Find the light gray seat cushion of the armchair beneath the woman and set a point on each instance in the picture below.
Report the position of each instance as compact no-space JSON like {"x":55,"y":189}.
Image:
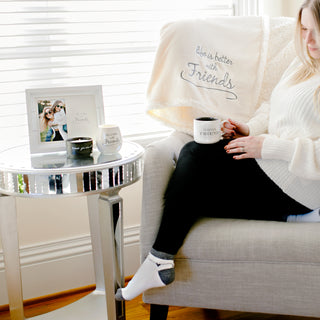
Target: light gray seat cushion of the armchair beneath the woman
{"x":249,"y":240}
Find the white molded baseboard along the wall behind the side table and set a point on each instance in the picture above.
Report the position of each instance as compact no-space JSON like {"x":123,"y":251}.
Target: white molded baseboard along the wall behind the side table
{"x":65,"y":264}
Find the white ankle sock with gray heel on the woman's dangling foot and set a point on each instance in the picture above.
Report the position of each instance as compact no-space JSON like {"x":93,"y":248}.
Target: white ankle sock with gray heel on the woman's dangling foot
{"x":154,"y":272}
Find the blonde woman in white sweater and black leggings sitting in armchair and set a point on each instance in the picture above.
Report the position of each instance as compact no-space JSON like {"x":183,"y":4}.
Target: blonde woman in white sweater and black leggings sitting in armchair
{"x":274,"y":176}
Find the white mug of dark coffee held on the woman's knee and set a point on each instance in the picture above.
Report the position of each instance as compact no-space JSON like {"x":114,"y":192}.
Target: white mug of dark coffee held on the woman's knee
{"x":207,"y":130}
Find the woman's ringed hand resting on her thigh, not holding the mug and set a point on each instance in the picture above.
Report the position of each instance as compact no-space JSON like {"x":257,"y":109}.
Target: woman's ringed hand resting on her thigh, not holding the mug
{"x":245,"y":147}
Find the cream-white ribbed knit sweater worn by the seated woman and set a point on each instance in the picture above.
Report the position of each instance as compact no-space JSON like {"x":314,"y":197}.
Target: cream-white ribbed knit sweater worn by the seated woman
{"x":291,"y":149}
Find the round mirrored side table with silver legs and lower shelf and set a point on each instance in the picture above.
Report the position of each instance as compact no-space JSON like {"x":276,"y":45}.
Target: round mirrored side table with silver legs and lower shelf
{"x":100,"y":178}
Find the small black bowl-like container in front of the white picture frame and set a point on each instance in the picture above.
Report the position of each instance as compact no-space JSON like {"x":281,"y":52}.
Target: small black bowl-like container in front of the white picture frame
{"x":79,"y":147}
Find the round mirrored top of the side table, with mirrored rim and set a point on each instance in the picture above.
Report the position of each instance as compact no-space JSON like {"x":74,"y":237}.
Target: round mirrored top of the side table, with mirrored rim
{"x":52,"y":174}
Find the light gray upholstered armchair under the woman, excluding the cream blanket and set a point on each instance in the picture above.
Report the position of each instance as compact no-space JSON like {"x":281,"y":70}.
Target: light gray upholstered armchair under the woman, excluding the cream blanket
{"x":239,"y":265}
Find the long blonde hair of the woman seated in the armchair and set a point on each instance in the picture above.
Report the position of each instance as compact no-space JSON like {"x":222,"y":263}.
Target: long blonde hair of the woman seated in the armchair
{"x":310,"y":66}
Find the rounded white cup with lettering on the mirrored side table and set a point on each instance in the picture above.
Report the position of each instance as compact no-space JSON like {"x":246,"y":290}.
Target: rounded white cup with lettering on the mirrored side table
{"x":109,"y":140}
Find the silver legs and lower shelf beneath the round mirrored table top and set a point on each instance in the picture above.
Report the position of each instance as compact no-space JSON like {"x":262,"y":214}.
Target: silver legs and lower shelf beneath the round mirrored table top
{"x":106,"y":226}
